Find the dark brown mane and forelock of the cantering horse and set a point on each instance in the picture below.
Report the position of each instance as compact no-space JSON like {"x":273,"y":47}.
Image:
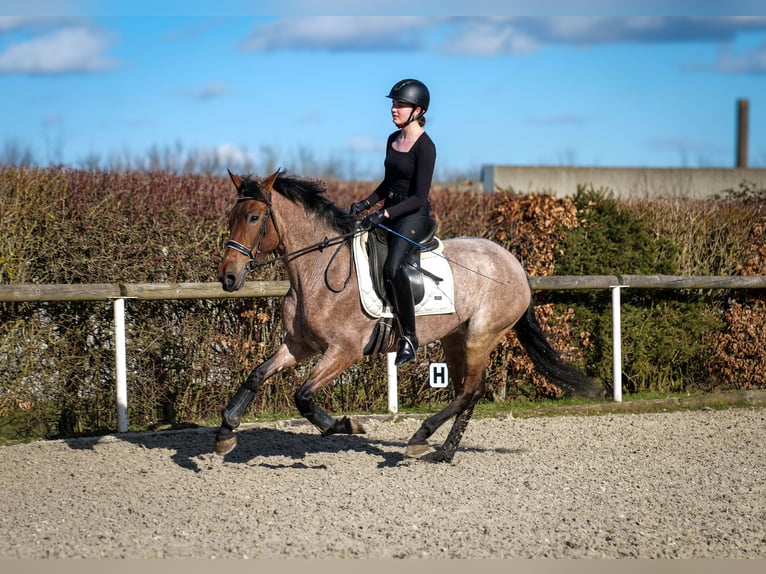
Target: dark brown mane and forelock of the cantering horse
{"x":310,"y":194}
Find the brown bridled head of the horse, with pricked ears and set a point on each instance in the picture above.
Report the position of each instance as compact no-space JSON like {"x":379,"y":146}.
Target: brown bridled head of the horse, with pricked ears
{"x":253,"y":233}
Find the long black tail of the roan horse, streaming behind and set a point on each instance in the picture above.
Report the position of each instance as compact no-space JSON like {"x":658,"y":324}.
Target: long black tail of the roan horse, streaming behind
{"x":549,"y":361}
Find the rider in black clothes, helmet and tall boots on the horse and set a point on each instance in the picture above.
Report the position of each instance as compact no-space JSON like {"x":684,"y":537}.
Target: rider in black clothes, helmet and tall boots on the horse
{"x":409,"y":168}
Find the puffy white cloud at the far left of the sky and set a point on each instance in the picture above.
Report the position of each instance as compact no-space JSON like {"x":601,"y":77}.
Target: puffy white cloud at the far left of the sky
{"x":71,"y":49}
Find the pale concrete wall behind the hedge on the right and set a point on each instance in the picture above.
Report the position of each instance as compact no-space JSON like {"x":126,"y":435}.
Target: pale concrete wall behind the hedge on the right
{"x":624,"y":182}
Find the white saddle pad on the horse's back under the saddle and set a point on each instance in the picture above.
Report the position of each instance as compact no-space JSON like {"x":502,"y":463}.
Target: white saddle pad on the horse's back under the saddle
{"x":439,"y":296}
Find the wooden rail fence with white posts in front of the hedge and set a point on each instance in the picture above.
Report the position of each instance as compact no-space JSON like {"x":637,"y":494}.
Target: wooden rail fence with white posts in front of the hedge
{"x":119,"y":293}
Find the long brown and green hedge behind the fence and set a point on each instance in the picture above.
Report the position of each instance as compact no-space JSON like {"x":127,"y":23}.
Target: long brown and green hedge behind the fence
{"x":186,"y":358}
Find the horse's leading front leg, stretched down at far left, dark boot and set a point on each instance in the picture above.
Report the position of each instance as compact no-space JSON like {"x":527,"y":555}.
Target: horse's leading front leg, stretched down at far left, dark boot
{"x":286,"y":356}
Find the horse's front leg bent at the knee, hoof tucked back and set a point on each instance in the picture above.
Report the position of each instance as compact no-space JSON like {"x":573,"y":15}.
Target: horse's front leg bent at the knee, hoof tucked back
{"x":328,"y":368}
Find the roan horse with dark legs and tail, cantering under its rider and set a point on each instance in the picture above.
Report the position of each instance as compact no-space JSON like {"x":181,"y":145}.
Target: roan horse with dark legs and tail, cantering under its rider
{"x":322,"y":312}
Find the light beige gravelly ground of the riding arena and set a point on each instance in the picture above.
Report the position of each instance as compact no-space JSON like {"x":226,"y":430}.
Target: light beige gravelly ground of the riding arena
{"x":665,"y":485}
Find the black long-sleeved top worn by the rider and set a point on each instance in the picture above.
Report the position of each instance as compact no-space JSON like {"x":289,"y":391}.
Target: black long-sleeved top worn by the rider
{"x":407,"y":178}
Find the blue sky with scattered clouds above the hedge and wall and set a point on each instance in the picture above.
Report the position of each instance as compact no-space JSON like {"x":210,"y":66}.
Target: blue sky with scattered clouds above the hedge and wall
{"x":588,"y":90}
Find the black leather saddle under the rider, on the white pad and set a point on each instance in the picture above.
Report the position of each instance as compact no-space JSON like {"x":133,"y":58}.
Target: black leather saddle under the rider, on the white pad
{"x":377,"y":251}
